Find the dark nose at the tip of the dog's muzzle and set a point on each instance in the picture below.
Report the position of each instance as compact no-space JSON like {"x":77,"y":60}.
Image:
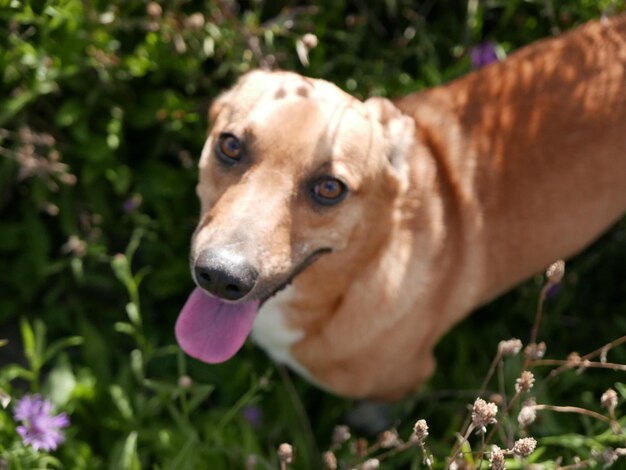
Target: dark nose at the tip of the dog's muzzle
{"x":225,"y":274}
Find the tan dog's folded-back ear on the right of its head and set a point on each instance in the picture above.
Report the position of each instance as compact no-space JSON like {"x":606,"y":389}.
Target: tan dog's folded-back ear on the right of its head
{"x":398,"y":130}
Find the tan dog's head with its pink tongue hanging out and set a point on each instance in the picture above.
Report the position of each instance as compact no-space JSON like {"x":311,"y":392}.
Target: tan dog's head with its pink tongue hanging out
{"x":293,"y":170}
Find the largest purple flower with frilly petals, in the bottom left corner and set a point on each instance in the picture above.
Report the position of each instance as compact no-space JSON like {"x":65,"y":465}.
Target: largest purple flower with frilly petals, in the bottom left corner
{"x":39,"y":428}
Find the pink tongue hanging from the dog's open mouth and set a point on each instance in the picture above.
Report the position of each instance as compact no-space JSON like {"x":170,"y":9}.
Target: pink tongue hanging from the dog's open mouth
{"x":211,"y":330}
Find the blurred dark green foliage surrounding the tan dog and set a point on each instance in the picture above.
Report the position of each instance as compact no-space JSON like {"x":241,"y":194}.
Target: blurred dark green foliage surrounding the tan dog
{"x":102,"y":118}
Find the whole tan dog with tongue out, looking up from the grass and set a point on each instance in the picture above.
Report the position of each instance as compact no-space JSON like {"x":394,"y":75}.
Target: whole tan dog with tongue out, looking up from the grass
{"x":365,"y":230}
